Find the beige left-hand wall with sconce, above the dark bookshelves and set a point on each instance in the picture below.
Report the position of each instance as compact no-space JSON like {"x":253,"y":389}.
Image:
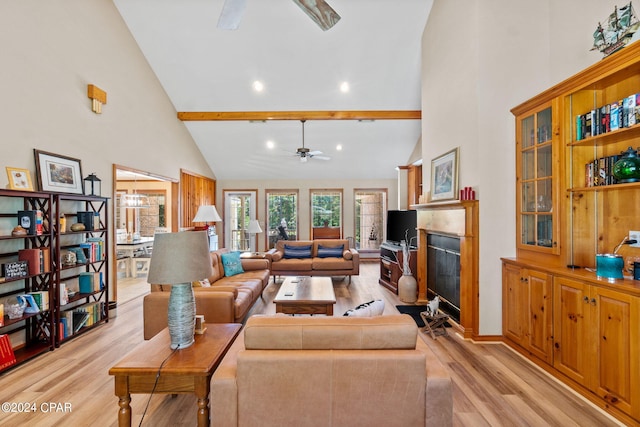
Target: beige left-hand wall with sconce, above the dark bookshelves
{"x":51,"y":51}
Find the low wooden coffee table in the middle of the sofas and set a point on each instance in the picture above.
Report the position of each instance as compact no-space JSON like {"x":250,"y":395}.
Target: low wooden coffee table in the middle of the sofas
{"x":305,"y":295}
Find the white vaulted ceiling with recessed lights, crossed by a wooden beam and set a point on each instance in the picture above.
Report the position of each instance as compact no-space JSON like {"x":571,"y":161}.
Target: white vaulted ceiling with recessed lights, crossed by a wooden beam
{"x":375,"y":48}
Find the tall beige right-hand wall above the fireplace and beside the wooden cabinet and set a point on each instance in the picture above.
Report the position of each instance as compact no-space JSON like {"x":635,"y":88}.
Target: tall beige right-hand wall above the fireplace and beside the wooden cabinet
{"x":480,"y":59}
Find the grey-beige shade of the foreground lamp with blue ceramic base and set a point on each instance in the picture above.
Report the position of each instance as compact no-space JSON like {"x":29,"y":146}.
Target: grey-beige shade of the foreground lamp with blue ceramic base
{"x":179,"y":258}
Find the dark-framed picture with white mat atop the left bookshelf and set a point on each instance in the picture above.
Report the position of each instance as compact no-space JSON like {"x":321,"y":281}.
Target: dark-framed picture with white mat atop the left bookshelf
{"x":58,"y":173}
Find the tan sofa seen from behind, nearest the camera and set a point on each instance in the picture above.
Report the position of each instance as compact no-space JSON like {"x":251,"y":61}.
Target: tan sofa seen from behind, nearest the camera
{"x":331,"y":371}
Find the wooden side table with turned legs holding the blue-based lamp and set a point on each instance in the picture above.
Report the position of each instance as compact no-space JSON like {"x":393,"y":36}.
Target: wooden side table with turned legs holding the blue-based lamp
{"x":188,"y":370}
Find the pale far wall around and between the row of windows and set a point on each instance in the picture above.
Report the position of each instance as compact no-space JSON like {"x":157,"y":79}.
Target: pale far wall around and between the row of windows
{"x":348,"y":187}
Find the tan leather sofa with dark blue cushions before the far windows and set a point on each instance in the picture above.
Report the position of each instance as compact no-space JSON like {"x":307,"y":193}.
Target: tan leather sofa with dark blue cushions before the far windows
{"x":319,"y":262}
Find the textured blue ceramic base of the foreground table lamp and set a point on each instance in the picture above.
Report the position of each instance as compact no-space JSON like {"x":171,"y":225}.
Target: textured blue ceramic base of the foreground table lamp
{"x":182,"y":315}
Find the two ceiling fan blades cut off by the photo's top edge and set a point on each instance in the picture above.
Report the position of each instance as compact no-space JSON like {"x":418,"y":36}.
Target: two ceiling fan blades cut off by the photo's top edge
{"x":318,"y":10}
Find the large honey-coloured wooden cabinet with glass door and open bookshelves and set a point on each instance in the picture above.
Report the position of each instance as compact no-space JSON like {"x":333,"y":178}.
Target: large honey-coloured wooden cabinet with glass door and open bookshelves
{"x":594,"y":118}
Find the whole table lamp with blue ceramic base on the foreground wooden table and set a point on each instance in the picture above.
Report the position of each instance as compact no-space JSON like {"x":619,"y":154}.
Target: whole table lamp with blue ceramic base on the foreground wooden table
{"x":177,"y":260}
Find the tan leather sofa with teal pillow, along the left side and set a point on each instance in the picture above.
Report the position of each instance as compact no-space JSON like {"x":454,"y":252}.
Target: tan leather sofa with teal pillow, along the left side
{"x":227,"y":300}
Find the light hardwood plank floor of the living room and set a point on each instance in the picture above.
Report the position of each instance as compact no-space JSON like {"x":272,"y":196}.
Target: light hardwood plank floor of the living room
{"x":493,"y":386}
